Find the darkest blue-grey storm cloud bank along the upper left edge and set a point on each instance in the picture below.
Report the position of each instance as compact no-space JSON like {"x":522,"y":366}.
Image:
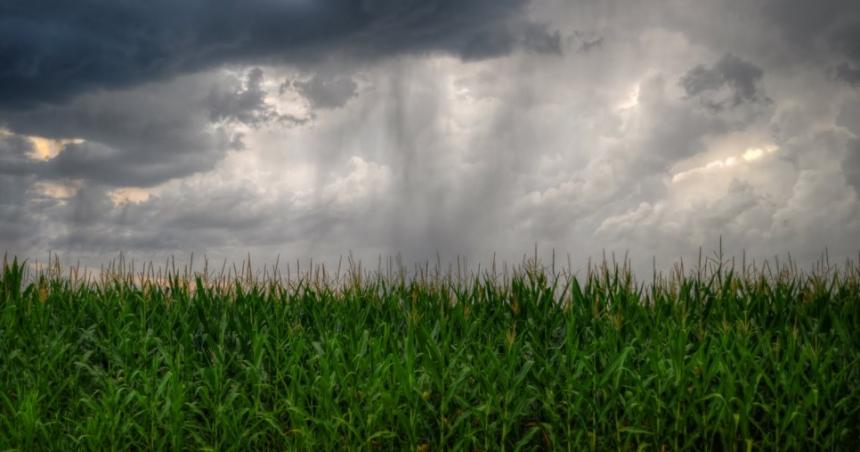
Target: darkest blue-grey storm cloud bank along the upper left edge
{"x":51,"y":49}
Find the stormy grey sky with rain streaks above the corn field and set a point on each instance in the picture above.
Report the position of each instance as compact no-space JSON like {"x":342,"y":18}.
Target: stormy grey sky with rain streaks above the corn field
{"x":315,"y":128}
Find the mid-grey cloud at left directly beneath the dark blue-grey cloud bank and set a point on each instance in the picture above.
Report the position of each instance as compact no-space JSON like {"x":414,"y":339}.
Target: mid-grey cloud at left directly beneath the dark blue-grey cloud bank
{"x":138,"y":137}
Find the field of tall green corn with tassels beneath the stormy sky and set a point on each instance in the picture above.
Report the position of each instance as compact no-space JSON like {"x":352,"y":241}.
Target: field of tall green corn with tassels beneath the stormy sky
{"x":710,"y":357}
